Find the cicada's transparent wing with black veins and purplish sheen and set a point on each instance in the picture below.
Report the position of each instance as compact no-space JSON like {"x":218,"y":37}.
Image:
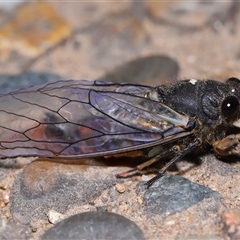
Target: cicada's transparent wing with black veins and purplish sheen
{"x":84,"y":118}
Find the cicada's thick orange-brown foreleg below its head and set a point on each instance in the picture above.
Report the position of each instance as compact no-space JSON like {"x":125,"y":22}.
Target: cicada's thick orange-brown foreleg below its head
{"x":228,"y":146}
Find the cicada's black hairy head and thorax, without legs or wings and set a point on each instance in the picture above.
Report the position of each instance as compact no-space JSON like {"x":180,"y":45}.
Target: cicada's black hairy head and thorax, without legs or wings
{"x":215,"y":105}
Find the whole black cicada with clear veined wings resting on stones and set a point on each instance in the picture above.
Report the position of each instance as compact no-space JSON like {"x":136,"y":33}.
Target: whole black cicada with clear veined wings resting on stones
{"x":82,"y":119}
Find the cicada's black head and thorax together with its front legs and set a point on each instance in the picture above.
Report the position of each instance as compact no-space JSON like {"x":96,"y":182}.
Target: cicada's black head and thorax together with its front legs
{"x":215,"y":108}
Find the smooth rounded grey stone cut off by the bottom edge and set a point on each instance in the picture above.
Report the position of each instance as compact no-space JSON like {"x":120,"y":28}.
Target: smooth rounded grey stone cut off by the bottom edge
{"x":94,"y":225}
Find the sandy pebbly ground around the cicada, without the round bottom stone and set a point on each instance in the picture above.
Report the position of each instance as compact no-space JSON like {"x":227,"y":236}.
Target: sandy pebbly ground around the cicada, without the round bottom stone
{"x":137,"y":42}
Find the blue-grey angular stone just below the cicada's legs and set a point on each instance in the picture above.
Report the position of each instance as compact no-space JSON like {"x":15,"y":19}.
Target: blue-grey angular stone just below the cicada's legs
{"x":172,"y":194}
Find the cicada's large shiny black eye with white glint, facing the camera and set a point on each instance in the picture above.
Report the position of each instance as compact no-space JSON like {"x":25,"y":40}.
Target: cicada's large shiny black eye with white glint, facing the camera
{"x":229,"y":106}
